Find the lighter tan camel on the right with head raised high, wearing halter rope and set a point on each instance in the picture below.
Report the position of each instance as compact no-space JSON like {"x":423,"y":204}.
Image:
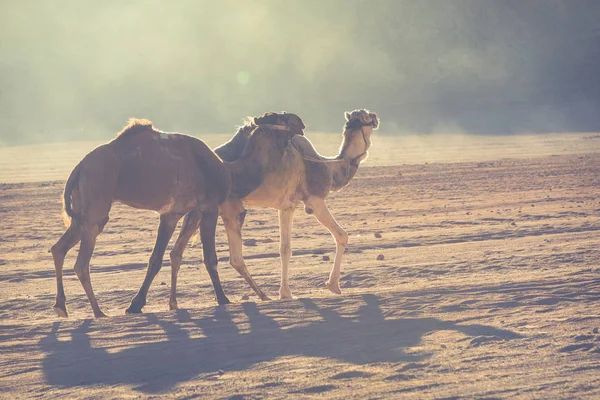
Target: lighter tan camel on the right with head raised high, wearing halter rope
{"x":298,"y":174}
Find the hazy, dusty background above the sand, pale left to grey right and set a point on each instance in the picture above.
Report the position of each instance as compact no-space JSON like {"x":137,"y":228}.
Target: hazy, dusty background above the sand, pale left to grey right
{"x":76,"y":70}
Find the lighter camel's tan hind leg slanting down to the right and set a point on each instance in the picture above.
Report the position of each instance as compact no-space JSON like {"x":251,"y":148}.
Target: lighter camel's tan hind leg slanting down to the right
{"x":232,"y":213}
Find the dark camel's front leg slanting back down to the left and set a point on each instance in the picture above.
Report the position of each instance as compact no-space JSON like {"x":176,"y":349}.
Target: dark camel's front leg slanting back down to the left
{"x":168,"y":223}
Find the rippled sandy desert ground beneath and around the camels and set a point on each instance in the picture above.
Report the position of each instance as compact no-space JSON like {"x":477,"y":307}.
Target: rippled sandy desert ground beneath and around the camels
{"x":489,"y":286}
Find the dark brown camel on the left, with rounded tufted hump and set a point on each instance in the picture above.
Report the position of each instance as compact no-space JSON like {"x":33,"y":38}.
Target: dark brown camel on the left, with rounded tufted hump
{"x":172,"y":174}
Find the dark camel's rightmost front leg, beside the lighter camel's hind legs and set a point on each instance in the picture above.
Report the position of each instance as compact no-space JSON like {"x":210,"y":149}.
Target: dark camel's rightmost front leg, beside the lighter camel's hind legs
{"x":208,"y":226}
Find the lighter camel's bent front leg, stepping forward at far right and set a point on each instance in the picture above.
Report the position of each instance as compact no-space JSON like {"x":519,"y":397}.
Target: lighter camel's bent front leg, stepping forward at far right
{"x":323,"y":215}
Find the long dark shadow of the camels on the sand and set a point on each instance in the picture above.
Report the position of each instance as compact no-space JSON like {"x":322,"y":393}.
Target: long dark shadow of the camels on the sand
{"x":157,"y":366}
